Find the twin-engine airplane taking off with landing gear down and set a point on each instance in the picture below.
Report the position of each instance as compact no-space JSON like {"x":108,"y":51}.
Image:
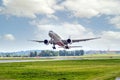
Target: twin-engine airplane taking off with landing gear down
{"x":56,"y":40}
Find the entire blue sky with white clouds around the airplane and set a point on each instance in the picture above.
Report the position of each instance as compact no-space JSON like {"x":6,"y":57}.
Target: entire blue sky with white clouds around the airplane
{"x":23,"y":20}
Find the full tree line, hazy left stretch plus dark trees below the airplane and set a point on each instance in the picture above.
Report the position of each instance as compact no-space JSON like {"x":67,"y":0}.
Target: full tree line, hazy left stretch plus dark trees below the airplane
{"x":43,"y":53}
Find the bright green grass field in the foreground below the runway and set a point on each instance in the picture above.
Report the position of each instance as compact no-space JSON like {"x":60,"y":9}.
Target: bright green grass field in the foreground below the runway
{"x":103,"y":69}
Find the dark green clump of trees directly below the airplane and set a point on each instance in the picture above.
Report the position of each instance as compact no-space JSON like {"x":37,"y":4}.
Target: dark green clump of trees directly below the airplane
{"x":45,"y":53}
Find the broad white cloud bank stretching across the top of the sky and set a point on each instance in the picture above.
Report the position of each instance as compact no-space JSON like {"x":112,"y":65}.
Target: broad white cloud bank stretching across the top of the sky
{"x":78,"y":8}
